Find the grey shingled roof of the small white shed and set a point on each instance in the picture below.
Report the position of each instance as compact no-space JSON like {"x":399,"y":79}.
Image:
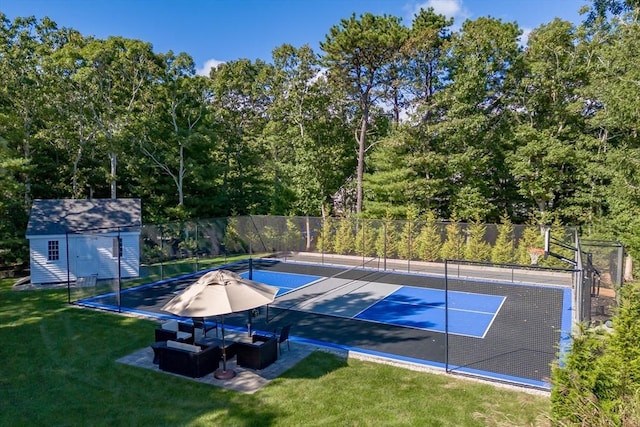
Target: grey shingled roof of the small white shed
{"x":60,"y":216}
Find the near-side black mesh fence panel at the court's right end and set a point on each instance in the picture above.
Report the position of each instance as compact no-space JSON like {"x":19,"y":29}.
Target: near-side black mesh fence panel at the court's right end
{"x":522,"y":322}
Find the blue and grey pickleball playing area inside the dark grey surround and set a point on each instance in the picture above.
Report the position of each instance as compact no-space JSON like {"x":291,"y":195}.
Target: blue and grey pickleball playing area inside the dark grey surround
{"x":470,"y":314}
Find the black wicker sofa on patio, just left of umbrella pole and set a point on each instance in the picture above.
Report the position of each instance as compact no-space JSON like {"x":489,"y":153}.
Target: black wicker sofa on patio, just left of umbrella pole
{"x":189,"y":360}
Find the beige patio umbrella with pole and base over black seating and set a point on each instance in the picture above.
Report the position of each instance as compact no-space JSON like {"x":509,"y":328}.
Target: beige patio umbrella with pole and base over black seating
{"x":217,"y":293}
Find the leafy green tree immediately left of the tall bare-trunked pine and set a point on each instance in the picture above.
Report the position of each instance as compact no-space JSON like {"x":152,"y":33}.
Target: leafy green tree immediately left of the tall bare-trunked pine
{"x":305,"y":133}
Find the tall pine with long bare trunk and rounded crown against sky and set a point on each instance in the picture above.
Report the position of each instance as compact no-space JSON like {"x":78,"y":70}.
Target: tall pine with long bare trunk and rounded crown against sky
{"x":359,"y":54}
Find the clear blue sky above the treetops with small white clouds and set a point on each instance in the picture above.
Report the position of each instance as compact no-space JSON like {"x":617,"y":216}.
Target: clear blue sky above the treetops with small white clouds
{"x":214,"y":31}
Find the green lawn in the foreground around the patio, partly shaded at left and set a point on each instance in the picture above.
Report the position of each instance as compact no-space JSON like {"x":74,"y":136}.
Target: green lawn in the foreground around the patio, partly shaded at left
{"x":59,"y":368}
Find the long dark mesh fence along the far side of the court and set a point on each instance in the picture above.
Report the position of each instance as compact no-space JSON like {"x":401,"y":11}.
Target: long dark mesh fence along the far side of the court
{"x":399,"y":245}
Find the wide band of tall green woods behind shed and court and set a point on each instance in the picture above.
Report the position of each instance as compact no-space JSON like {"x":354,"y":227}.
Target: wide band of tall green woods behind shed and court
{"x":467,"y":124}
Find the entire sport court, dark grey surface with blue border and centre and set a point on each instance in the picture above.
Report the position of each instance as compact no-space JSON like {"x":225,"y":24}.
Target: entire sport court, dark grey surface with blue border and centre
{"x":499,"y":330}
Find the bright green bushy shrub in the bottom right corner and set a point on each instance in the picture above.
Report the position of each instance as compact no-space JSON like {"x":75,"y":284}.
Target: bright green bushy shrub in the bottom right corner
{"x":598,"y":382}
